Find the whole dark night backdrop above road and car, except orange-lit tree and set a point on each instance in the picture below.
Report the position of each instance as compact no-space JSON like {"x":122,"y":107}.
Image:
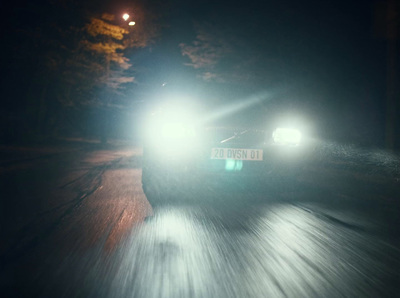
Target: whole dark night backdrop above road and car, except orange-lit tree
{"x":334,"y":62}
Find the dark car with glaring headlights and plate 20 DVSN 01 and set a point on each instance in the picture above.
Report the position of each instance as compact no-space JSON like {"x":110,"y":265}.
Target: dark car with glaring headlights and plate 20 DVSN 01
{"x":188,"y":149}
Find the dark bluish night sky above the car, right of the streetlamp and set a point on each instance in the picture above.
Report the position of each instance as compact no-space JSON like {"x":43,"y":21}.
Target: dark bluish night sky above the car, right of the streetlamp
{"x":325,"y":58}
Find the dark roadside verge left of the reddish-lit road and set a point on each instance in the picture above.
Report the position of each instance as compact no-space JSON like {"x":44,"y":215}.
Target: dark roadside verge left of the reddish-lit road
{"x":42,"y":186}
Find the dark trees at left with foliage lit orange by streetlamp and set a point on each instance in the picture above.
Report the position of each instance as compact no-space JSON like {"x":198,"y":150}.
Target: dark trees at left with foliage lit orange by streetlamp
{"x":62,"y":59}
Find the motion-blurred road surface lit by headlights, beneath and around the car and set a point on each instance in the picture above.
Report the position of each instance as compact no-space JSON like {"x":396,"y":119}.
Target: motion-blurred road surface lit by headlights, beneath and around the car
{"x":75,"y":223}
